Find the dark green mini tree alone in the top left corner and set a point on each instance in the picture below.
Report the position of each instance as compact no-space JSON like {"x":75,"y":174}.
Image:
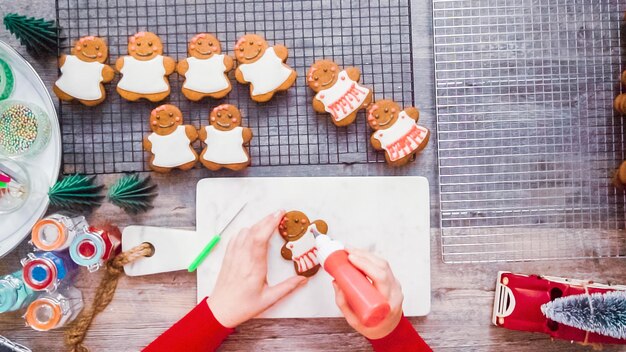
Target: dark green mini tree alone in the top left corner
{"x":38,"y":35}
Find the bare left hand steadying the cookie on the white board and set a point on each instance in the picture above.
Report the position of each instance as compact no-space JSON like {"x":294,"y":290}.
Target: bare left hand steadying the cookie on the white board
{"x":241,"y":291}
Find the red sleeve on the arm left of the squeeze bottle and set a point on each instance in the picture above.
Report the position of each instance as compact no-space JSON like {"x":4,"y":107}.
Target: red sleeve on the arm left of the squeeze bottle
{"x":197,"y":331}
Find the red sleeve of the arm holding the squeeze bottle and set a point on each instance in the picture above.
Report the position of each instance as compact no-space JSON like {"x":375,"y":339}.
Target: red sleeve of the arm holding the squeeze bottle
{"x":403,"y":338}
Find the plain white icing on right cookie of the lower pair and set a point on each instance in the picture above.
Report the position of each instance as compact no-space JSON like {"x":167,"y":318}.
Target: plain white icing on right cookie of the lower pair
{"x":225,"y":147}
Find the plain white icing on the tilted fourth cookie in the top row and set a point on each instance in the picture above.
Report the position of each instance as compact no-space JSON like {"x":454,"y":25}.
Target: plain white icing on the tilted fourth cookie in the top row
{"x":267,"y":73}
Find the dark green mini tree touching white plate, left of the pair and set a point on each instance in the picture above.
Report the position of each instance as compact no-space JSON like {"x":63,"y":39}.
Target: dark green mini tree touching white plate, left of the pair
{"x":76,"y":192}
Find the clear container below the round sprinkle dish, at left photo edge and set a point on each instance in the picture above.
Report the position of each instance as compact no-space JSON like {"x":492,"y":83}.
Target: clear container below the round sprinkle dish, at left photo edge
{"x":15,"y":185}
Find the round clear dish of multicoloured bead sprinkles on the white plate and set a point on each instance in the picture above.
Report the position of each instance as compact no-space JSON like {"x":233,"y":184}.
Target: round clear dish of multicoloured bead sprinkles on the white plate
{"x":24,"y":128}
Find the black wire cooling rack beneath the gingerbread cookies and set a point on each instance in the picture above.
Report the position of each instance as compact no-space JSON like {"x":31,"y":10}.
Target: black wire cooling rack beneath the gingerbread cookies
{"x":372,"y":35}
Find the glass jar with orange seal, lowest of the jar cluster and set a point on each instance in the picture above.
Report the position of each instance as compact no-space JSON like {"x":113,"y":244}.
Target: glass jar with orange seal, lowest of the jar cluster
{"x":54,"y":310}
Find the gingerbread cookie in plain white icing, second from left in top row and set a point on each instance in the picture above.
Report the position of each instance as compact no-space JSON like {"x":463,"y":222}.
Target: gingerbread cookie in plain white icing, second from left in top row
{"x":145,"y":70}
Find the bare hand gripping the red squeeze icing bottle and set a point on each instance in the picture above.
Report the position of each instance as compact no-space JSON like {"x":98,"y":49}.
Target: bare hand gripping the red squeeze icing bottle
{"x":379,"y":272}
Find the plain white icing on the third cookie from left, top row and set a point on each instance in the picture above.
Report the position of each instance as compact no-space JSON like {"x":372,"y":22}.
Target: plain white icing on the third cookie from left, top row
{"x":206,"y":75}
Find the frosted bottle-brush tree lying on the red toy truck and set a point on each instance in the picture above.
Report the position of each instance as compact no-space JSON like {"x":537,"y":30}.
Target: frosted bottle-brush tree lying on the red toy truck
{"x":606,"y":315}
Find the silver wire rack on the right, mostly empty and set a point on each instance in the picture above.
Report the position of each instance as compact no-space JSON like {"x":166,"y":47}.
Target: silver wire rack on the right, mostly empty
{"x":527,"y":135}
